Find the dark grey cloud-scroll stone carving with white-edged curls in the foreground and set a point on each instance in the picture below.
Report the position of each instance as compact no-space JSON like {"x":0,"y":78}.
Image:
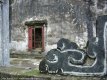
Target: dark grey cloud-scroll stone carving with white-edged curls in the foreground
{"x":68,"y":58}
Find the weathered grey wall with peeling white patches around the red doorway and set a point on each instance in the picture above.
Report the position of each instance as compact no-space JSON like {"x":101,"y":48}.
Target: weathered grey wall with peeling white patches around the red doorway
{"x":66,"y":19}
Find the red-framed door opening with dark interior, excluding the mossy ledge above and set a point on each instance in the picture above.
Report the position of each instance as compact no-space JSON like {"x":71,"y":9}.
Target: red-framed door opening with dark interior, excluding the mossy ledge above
{"x":36,"y":38}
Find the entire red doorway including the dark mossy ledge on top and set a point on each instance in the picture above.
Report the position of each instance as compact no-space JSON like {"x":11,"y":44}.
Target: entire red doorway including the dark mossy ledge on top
{"x":36,"y":33}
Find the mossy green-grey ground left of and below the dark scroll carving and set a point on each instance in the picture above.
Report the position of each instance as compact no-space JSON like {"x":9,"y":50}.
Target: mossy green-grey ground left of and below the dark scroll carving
{"x":29,"y":67}
